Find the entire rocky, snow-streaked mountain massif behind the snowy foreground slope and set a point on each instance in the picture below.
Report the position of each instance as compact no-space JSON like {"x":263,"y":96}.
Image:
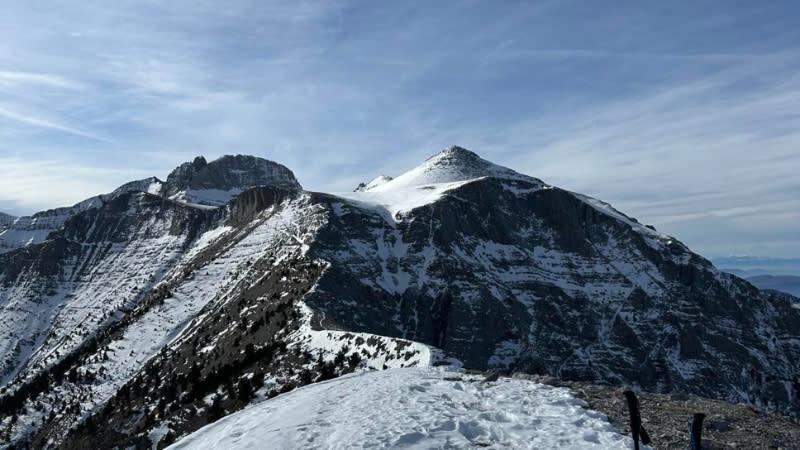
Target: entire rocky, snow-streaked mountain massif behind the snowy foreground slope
{"x":156,"y":310}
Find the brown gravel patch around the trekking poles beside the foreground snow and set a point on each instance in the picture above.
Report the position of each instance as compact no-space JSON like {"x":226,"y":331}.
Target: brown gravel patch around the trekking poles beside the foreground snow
{"x":666,"y":417}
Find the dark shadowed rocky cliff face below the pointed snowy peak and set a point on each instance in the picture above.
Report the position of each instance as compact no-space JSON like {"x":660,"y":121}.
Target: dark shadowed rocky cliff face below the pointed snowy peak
{"x":516,"y":274}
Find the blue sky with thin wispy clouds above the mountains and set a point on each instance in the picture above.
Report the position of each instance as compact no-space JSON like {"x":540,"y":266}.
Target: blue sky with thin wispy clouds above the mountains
{"x":683,"y":114}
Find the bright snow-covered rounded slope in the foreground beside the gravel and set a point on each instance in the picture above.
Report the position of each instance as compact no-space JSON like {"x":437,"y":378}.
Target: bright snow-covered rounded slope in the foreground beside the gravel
{"x":417,"y":408}
